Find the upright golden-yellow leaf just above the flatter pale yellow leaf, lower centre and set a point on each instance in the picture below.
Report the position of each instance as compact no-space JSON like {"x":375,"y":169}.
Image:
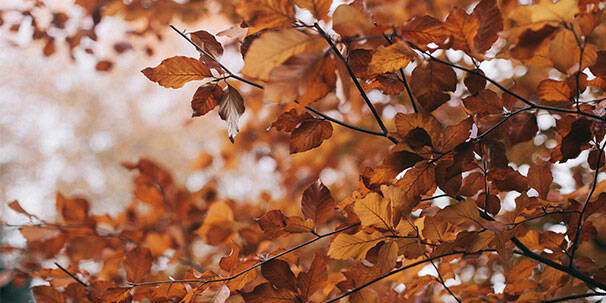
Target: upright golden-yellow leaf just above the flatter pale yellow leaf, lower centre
{"x":374,"y":210}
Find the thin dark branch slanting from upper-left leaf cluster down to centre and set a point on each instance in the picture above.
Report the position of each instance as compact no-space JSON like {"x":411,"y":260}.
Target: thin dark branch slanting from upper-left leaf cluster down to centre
{"x":259,"y":86}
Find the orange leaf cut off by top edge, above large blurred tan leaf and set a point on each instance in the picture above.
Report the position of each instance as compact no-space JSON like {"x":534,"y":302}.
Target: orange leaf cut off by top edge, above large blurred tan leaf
{"x":263,"y":14}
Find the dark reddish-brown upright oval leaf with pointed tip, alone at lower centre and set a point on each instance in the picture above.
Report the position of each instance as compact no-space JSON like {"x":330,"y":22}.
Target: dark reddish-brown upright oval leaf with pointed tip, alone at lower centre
{"x":317,"y":203}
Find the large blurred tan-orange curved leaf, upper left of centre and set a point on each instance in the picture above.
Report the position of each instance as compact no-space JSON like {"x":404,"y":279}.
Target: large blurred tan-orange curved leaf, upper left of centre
{"x":274,"y":48}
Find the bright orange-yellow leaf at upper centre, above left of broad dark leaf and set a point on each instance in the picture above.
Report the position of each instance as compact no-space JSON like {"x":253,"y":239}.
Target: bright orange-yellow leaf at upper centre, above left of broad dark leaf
{"x":391,"y":58}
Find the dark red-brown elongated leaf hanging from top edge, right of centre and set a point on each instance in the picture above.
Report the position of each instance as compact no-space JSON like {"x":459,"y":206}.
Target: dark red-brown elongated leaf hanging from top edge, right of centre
{"x":490,"y":24}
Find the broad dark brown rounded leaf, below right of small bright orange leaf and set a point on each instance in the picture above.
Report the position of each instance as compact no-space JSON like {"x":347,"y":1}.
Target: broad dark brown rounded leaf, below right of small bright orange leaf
{"x":430,"y":81}
